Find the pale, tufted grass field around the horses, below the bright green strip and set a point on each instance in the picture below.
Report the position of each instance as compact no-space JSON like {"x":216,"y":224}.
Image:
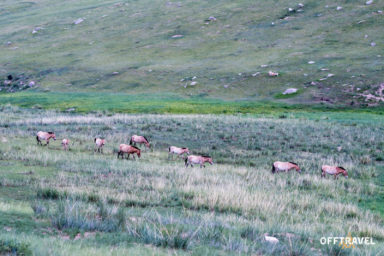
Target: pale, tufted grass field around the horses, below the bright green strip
{"x":79,"y":202}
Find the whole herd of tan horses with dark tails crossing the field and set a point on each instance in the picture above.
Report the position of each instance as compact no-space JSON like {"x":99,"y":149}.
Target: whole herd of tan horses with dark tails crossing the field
{"x":131,"y":149}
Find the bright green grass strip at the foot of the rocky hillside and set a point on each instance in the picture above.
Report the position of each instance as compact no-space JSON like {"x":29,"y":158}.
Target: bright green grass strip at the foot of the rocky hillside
{"x":162,"y":103}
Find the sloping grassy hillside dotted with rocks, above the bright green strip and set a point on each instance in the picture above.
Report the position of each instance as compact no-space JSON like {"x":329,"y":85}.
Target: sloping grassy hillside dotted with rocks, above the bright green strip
{"x":128,"y":46}
